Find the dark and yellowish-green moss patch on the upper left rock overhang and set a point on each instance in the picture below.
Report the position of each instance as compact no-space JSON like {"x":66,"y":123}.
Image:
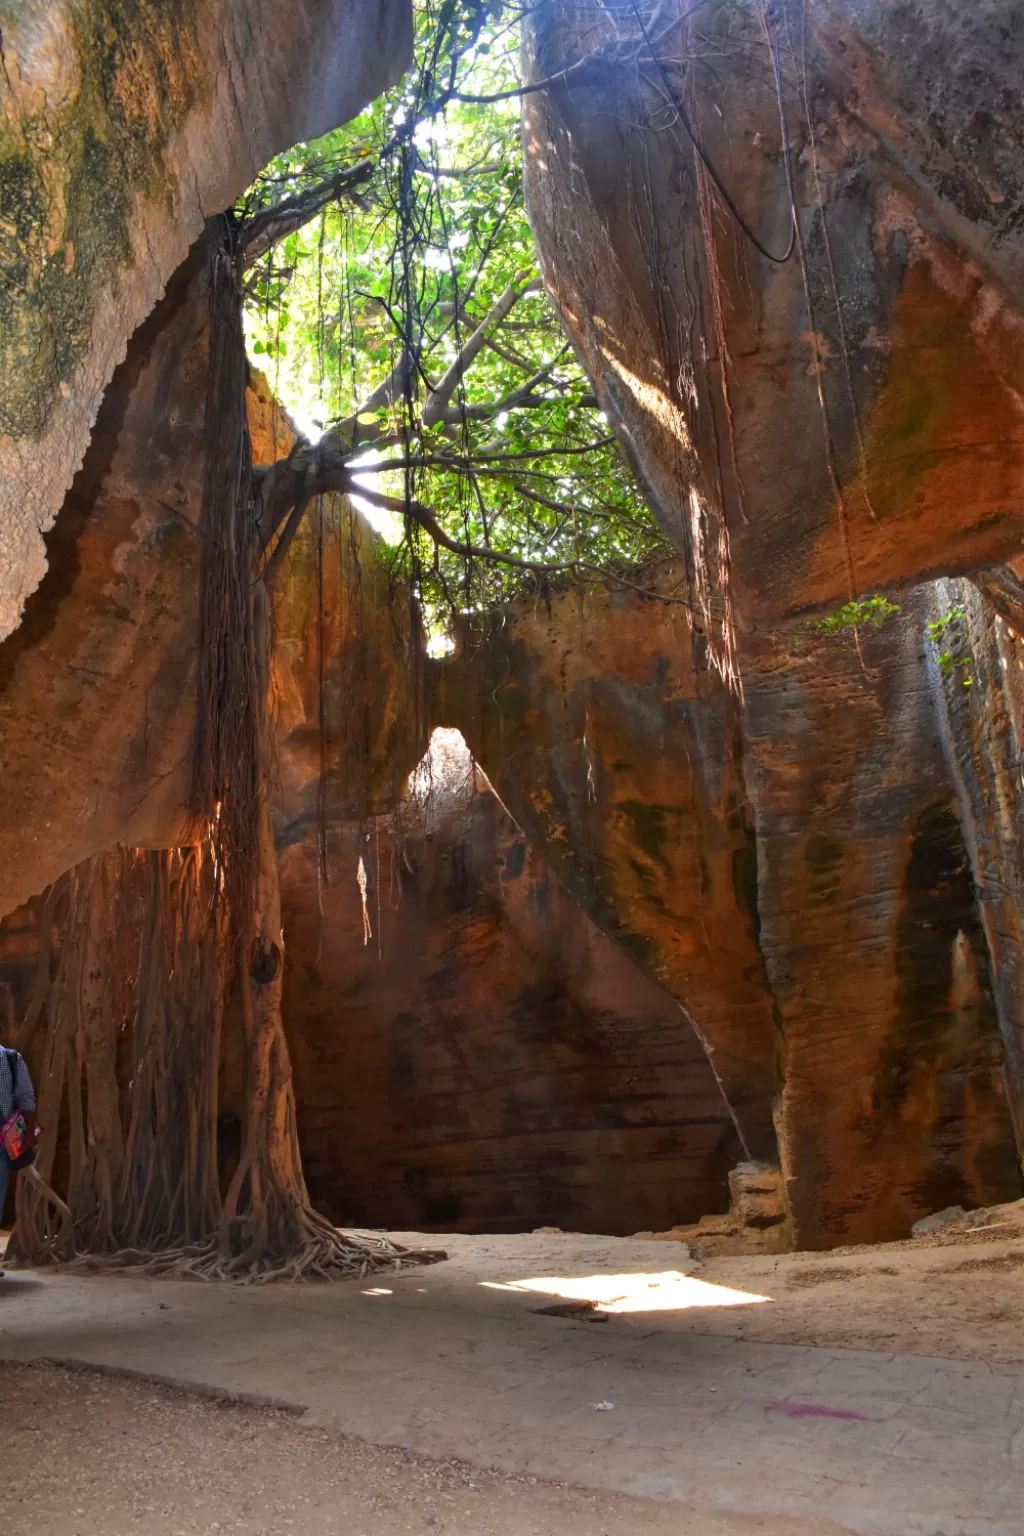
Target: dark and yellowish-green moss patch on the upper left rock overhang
{"x":94,"y":94}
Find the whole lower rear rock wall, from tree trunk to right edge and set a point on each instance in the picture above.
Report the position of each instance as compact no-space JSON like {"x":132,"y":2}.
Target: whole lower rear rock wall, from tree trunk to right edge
{"x":503,"y":1062}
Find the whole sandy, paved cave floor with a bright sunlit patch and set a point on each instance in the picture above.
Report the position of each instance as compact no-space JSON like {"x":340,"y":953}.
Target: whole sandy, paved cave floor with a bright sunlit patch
{"x":885,"y":1395}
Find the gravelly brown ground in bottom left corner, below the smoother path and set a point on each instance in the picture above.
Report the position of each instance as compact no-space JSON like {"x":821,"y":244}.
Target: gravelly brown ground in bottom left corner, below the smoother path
{"x":91,"y":1455}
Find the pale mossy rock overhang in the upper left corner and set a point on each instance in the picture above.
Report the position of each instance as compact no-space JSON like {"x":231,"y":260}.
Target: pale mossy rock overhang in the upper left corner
{"x":122,"y":130}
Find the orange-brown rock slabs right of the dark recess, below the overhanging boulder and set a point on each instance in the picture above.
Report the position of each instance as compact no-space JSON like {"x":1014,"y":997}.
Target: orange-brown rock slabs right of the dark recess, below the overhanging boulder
{"x":798,"y":859}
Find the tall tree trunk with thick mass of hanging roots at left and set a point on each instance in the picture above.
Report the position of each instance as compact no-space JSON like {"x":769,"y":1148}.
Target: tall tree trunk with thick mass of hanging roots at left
{"x":176,"y":932}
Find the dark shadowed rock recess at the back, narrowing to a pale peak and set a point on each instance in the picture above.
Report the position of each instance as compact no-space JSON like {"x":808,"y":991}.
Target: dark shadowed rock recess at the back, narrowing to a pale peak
{"x":489,"y":1061}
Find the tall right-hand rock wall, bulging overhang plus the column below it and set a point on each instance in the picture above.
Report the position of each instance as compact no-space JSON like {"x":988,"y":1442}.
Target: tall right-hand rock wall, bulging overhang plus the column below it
{"x":810,"y":431}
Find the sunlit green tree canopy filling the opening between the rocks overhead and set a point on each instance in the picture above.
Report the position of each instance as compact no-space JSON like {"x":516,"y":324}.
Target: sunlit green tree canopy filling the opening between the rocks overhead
{"x":504,"y":442}
